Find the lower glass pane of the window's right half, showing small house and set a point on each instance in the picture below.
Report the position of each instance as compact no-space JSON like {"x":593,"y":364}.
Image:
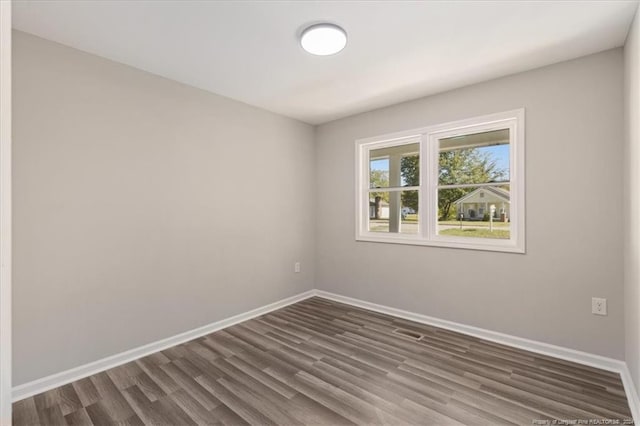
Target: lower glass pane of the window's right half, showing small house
{"x":478,"y":212}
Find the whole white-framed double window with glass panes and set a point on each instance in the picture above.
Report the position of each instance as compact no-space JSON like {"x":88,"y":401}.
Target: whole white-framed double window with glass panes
{"x":458,"y":185}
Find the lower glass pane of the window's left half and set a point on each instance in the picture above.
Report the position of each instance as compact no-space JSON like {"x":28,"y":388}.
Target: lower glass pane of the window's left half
{"x":393,"y":212}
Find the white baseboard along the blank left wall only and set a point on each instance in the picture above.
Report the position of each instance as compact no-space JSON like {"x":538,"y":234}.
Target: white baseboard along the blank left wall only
{"x":59,"y":379}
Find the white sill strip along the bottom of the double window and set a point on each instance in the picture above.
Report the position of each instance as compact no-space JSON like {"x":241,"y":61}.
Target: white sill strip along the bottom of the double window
{"x":483,"y":245}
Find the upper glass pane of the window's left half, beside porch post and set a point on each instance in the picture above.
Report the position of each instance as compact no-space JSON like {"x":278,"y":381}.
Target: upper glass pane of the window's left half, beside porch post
{"x":394,"y":166}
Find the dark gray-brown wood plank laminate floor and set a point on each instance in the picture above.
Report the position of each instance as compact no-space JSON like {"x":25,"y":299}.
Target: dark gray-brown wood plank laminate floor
{"x":321,"y":362}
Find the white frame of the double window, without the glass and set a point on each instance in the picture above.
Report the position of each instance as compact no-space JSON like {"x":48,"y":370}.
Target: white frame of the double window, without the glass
{"x":428,"y":138}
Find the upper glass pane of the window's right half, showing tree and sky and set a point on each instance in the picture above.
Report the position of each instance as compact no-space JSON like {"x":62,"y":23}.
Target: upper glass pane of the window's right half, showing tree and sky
{"x":474,"y":158}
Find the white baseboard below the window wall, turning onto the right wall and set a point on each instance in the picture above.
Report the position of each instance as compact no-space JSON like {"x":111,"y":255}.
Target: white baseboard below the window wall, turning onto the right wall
{"x":555,"y":351}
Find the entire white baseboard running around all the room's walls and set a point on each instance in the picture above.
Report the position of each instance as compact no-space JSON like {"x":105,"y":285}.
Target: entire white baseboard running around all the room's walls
{"x":41,"y":385}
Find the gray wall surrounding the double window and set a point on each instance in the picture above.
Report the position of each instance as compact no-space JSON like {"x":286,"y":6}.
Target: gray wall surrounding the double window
{"x":574,"y":214}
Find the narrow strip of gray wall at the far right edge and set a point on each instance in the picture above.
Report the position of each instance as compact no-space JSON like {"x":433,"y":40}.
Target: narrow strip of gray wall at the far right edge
{"x":632,"y":198}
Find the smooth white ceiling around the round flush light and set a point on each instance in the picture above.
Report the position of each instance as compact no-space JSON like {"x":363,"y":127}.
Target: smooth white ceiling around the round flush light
{"x":396,"y":51}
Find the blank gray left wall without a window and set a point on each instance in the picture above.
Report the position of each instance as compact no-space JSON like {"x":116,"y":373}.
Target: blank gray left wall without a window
{"x":144,"y":208}
